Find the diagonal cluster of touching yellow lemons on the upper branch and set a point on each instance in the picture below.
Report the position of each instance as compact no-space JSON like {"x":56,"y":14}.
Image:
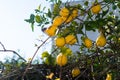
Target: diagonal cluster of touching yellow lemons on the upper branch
{"x":65,"y":16}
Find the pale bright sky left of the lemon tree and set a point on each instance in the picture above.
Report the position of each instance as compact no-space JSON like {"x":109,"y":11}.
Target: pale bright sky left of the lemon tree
{"x":15,"y":33}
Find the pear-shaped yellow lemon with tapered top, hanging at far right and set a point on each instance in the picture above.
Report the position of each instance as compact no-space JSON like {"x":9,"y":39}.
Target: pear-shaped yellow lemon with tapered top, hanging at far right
{"x":101,"y":40}
